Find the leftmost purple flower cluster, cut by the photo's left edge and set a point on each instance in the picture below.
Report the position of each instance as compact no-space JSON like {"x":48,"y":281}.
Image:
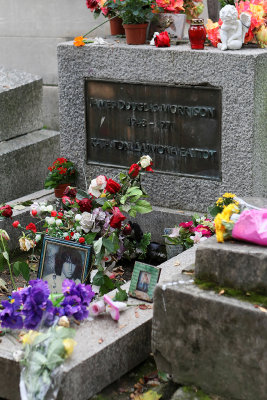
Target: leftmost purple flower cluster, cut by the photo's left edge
{"x":10,"y":317}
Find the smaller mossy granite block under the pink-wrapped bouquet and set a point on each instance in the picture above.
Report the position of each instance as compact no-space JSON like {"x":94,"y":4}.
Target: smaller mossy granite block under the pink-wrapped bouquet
{"x":235,"y":264}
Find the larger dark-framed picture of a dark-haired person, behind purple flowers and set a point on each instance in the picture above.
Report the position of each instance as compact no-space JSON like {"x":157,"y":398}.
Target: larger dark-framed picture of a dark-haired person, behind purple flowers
{"x":61,"y":259}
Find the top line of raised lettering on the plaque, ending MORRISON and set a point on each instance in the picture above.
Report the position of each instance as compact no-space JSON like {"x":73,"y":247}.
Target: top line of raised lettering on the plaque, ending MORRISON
{"x":184,"y":111}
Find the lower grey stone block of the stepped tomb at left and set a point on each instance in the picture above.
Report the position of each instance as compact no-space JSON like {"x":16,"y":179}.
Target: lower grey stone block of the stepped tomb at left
{"x":24,"y":161}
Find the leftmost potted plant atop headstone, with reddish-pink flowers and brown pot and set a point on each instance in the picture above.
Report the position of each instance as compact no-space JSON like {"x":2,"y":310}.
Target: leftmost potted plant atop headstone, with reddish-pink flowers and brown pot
{"x":109,"y":9}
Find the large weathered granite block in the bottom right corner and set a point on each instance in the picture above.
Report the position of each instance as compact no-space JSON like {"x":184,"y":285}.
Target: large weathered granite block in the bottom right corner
{"x":214,"y":342}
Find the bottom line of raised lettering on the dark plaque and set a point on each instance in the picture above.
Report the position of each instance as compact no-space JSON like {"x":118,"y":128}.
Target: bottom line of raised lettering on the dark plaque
{"x":153,"y":148}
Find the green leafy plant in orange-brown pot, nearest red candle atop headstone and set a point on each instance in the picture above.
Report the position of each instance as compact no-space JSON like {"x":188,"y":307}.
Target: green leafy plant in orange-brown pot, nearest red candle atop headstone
{"x":135,"y":15}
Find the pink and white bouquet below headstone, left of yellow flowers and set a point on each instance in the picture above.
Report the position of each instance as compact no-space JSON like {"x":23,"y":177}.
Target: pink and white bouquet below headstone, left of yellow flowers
{"x":189,"y":233}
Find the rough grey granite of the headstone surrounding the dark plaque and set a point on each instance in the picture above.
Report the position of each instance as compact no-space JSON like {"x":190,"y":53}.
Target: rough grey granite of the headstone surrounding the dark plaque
{"x":241,"y":76}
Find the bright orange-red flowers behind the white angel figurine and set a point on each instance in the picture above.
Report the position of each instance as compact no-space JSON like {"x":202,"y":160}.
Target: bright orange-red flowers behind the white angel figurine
{"x":257,"y":32}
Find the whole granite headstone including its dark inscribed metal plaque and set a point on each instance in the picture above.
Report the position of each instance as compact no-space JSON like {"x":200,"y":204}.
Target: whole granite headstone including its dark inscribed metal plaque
{"x":199,"y":114}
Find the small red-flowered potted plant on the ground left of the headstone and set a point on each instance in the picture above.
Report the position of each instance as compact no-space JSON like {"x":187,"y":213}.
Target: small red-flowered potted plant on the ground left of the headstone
{"x":61,"y":174}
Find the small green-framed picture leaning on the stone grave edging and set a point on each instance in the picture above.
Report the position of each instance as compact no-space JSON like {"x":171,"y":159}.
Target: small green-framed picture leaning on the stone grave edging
{"x":144,"y":280}
